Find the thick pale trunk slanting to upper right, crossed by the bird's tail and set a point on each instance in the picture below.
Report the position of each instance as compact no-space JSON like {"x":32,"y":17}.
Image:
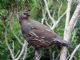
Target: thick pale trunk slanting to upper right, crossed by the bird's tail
{"x":68,"y":30}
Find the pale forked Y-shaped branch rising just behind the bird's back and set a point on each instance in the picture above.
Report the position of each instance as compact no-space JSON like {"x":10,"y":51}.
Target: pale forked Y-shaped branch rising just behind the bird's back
{"x":55,"y":23}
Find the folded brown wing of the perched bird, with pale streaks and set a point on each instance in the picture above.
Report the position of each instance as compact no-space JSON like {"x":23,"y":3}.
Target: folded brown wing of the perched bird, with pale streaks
{"x":43,"y":34}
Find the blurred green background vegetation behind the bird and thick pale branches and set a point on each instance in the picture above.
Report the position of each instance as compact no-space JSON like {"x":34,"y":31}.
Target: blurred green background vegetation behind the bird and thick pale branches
{"x":9,"y":10}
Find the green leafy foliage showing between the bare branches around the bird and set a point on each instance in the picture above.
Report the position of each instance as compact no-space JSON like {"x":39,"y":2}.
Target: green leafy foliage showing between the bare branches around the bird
{"x":35,"y":7}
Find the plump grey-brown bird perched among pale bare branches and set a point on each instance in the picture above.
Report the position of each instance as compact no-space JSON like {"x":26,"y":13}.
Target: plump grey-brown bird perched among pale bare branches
{"x":38,"y":35}
